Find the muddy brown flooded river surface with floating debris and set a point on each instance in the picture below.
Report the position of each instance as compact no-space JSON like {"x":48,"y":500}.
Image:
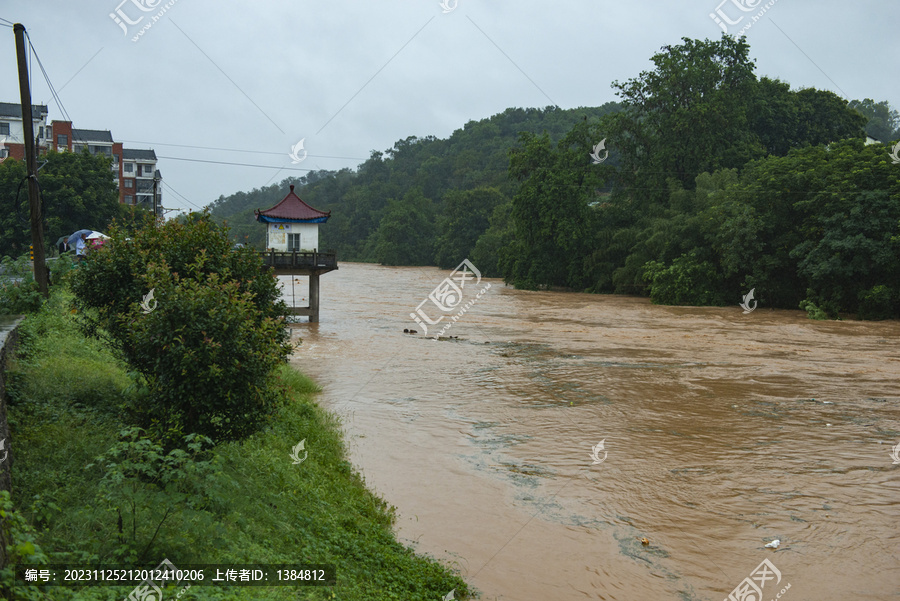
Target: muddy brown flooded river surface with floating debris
{"x":720,"y":432}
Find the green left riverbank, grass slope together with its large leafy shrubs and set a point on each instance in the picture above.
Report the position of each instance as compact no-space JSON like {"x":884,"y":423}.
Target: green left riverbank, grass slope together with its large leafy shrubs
{"x":111,"y":466}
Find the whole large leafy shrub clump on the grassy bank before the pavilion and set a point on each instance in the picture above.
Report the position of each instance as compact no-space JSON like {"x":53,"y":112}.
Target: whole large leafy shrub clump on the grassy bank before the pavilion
{"x":207,"y":341}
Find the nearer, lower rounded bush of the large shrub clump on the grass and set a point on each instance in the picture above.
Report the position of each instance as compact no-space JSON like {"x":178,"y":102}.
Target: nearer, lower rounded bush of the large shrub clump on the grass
{"x":206,"y":357}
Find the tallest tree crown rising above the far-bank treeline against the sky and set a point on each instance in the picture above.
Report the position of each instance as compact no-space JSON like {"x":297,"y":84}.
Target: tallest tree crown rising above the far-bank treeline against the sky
{"x":688,"y":115}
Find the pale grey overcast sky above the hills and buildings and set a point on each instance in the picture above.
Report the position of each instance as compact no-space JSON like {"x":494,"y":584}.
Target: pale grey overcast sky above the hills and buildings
{"x":352,"y":76}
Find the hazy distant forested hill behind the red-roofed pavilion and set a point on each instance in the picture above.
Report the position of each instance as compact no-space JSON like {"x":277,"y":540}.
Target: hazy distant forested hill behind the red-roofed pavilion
{"x":419,"y":172}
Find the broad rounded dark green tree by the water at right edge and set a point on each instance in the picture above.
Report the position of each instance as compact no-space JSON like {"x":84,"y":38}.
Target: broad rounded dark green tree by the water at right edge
{"x":816,"y":225}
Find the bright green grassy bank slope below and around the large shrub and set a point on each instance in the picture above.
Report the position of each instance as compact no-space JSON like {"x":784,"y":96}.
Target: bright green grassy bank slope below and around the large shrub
{"x":232,"y":503}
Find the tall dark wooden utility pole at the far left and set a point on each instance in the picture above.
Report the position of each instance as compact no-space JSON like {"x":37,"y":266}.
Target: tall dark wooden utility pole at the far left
{"x":37,"y":225}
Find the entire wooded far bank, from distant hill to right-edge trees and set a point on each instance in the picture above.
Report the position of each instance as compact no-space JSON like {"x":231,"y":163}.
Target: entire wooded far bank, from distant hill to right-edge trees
{"x":715,"y":182}
